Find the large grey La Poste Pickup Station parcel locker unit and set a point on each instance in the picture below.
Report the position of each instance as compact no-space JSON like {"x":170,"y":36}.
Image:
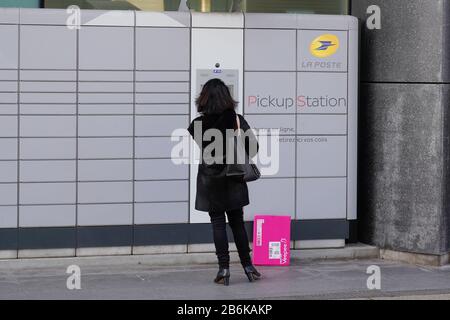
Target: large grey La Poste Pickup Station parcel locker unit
{"x":88,"y":114}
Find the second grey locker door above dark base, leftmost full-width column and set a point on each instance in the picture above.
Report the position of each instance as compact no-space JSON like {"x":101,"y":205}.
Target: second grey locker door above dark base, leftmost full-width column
{"x":47,"y":193}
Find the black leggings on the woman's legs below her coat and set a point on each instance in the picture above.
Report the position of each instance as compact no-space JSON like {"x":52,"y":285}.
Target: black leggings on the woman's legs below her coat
{"x":236,"y":222}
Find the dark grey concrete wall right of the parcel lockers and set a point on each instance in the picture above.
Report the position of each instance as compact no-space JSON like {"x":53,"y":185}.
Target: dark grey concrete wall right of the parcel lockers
{"x":404,"y":126}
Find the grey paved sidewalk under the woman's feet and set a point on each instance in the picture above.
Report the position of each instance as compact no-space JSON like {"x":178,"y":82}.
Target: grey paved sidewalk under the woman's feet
{"x":303,"y":280}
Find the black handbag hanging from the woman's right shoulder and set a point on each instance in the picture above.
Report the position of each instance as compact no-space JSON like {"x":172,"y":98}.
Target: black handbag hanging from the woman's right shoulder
{"x":242,"y":168}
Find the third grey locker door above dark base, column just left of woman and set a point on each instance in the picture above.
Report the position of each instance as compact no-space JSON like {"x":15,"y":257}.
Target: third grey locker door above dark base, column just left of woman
{"x":157,"y":169}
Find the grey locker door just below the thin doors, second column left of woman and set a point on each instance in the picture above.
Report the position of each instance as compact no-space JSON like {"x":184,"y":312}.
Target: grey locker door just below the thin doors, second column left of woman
{"x":105,"y":126}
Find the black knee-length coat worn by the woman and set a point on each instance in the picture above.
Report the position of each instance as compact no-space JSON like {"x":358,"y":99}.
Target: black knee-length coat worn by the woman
{"x":215,"y":191}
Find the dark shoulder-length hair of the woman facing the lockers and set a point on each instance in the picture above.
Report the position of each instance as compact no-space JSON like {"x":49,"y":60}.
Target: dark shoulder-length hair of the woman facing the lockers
{"x":215,"y":98}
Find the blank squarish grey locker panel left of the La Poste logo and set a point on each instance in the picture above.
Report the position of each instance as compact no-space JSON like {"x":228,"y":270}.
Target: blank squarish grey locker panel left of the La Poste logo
{"x":270,"y":50}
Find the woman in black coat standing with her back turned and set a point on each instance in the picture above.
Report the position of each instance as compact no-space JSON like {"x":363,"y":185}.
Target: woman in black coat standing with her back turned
{"x":218,"y":194}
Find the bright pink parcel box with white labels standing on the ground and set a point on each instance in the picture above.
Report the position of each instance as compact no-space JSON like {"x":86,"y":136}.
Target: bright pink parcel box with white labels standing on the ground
{"x":271,"y":240}
